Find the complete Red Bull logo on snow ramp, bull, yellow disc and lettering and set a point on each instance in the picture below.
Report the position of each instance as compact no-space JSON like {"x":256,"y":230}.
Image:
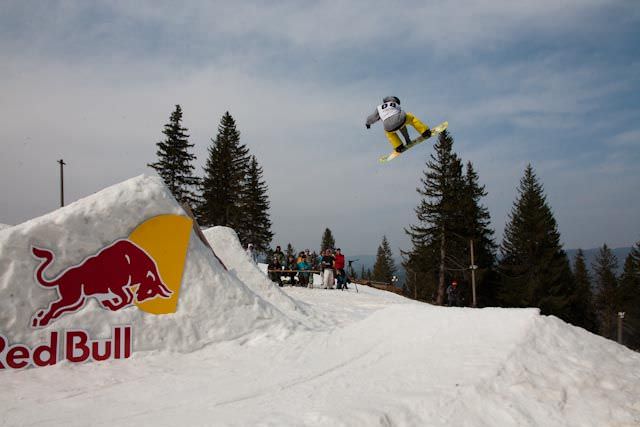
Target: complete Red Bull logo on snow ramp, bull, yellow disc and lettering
{"x":142,"y":270}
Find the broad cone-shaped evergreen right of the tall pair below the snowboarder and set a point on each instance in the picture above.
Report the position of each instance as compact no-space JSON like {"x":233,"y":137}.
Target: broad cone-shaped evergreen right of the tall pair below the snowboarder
{"x":535,"y":270}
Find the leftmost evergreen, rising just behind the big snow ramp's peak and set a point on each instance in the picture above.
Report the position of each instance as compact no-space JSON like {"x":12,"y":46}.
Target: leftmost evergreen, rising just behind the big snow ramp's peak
{"x":174,"y":163}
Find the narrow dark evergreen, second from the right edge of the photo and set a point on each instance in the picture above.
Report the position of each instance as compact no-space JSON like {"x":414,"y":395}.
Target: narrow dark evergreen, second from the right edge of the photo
{"x":608,"y":302}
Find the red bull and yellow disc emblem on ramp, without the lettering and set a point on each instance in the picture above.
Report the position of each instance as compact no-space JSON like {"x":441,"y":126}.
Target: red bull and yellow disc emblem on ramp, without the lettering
{"x":144,"y":269}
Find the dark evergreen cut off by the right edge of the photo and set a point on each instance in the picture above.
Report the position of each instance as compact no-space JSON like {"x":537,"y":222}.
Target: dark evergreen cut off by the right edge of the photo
{"x":630,"y":297}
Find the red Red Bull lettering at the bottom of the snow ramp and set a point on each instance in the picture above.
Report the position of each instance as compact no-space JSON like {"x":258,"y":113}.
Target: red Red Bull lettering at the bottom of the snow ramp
{"x":75,"y":346}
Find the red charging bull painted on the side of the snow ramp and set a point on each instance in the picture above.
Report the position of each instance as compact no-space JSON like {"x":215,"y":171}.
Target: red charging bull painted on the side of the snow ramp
{"x":116,"y":276}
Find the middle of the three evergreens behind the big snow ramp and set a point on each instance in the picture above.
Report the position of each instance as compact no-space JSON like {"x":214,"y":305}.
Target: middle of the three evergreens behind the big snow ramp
{"x":224,"y":183}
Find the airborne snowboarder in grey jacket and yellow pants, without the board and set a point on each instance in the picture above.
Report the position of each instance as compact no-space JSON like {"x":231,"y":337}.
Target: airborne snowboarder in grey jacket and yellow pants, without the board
{"x":395,"y":119}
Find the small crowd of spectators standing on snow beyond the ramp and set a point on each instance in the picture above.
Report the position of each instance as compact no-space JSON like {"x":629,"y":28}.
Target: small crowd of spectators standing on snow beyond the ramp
{"x":296,"y":271}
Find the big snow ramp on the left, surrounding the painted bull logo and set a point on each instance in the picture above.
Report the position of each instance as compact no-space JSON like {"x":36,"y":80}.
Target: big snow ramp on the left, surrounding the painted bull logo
{"x":214,"y":305}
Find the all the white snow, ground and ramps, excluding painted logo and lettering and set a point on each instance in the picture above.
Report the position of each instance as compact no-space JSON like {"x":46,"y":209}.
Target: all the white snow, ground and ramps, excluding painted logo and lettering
{"x":242,"y":351}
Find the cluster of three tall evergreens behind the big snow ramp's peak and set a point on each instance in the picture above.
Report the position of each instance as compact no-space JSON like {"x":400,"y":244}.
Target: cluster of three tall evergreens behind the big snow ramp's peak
{"x":232,"y":191}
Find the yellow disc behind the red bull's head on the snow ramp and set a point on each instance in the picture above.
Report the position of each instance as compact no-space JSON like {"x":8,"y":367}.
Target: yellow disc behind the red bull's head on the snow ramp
{"x":165,"y":238}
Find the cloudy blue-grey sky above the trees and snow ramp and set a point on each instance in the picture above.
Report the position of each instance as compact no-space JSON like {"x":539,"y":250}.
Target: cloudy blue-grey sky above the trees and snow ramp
{"x":554,"y":83}
